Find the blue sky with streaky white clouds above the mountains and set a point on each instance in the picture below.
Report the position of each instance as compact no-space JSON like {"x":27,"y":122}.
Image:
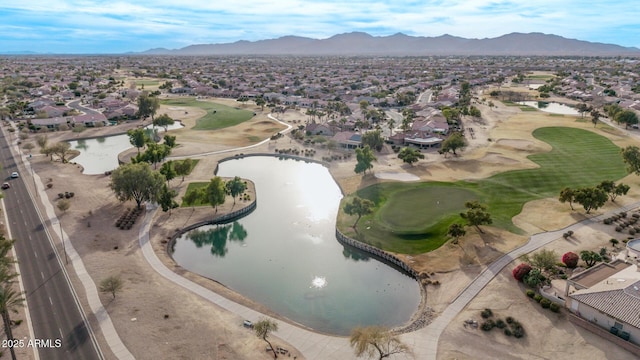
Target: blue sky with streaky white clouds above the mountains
{"x":118,"y":26}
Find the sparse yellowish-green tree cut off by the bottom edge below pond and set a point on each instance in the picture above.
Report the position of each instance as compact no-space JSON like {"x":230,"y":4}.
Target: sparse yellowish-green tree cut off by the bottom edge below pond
{"x":376,"y":341}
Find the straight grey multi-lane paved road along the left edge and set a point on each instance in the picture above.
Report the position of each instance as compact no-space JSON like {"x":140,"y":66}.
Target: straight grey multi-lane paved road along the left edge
{"x":55,"y":314}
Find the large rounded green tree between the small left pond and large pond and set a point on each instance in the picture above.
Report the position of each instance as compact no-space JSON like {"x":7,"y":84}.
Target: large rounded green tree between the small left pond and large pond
{"x":137,"y":182}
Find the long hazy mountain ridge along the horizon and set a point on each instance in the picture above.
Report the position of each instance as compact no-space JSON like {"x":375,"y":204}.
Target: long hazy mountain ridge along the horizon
{"x":359,"y":43}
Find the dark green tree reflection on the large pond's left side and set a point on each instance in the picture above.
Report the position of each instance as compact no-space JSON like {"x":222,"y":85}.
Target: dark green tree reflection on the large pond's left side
{"x":217,"y":237}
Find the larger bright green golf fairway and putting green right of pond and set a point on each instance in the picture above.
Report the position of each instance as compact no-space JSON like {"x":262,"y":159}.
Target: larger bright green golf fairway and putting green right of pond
{"x":406,"y":221}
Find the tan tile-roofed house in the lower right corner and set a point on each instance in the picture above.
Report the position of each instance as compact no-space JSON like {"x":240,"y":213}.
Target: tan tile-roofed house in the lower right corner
{"x":608,"y":295}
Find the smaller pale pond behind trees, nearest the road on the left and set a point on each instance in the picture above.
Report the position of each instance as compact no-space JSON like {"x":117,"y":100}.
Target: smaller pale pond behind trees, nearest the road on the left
{"x":100,"y":154}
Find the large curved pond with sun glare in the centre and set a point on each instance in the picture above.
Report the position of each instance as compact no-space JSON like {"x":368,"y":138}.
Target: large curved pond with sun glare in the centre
{"x":285,"y":254}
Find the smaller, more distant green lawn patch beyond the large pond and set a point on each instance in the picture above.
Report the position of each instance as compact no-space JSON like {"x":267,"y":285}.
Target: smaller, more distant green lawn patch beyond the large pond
{"x":218,"y":116}
